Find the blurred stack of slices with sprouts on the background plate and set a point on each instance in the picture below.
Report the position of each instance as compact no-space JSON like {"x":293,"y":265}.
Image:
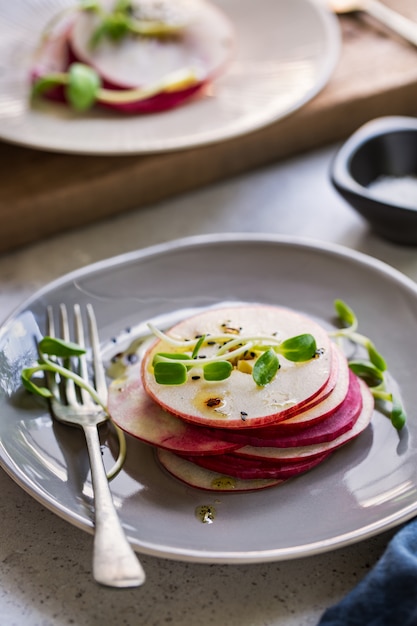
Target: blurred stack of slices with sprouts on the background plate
{"x":154,"y":66}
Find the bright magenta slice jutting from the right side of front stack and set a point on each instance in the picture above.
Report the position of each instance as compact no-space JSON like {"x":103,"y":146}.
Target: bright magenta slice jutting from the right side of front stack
{"x":327,"y":429}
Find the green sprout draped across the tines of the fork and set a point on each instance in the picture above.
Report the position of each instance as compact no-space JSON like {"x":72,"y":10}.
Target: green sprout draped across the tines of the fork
{"x":50,"y":349}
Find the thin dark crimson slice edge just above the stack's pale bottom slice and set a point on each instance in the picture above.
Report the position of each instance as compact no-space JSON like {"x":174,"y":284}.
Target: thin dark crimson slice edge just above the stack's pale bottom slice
{"x":247,"y":468}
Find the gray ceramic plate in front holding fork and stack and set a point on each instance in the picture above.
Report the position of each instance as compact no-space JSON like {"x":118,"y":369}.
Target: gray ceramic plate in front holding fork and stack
{"x":367,"y":487}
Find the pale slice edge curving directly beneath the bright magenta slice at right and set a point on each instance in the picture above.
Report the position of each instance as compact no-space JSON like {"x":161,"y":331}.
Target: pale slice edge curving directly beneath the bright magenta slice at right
{"x":281,"y":455}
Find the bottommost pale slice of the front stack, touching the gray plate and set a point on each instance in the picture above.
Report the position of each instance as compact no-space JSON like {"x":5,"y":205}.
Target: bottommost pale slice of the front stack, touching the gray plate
{"x":201,"y":478}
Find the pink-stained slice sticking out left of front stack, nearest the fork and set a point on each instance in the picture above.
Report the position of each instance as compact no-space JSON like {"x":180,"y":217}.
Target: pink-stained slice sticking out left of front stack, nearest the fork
{"x":136,"y":414}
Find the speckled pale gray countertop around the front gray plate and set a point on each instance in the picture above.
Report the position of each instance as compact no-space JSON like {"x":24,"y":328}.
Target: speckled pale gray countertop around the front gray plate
{"x":45,"y":574}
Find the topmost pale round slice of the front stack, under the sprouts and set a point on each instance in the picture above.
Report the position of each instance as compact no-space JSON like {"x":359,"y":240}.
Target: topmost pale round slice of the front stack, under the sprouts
{"x":294,"y":386}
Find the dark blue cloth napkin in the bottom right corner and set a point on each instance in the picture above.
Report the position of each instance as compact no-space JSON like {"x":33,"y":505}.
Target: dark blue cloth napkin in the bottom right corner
{"x":387,"y":596}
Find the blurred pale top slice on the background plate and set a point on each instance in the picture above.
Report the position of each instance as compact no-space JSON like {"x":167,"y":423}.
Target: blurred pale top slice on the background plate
{"x":205,"y":45}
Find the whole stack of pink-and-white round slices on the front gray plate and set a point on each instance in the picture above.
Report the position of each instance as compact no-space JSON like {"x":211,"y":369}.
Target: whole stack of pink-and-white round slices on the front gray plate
{"x":233,"y":434}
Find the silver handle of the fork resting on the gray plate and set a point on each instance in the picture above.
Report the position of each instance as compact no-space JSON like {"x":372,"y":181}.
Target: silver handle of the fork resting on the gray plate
{"x":114,"y":562}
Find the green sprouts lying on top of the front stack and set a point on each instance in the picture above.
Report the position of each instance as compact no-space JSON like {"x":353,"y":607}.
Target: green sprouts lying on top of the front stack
{"x":171,"y":368}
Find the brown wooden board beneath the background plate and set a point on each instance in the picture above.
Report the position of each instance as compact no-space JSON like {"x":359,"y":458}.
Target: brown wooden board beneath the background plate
{"x":43,"y":193}
